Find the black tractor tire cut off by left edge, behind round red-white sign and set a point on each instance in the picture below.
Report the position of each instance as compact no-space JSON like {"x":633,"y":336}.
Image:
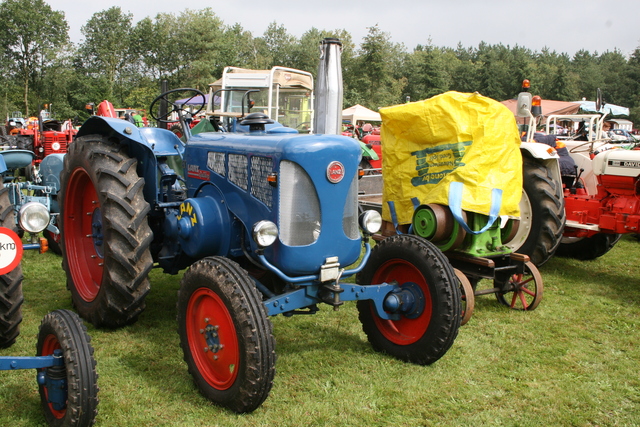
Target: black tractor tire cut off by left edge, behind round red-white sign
{"x":11,"y":297}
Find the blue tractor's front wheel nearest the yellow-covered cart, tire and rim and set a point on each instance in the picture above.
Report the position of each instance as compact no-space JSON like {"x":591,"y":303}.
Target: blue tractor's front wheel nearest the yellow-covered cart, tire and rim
{"x":425,"y":337}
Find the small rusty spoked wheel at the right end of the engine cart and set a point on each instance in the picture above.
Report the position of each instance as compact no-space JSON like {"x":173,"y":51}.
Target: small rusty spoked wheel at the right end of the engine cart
{"x":524,"y":290}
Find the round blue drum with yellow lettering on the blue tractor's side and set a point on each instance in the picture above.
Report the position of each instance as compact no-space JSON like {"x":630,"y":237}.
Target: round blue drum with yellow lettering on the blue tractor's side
{"x":203,"y":224}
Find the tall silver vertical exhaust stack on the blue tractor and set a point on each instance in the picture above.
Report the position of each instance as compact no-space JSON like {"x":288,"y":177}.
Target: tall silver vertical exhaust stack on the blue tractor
{"x":328,"y":102}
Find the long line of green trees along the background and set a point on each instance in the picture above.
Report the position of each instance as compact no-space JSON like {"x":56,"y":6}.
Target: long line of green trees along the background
{"x":124,"y":62}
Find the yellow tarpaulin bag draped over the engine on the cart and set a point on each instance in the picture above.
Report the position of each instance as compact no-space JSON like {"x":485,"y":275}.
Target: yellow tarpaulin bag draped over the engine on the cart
{"x":452,"y":137}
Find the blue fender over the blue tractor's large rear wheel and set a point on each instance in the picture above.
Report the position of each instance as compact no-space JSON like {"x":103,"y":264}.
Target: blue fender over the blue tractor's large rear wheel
{"x":145,"y":144}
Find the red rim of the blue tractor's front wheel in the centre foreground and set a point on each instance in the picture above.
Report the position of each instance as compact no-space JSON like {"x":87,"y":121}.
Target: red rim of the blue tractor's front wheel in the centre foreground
{"x":218,"y":368}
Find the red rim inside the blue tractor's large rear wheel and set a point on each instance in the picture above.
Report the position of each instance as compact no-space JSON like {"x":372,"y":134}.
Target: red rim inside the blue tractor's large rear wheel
{"x":81,"y":213}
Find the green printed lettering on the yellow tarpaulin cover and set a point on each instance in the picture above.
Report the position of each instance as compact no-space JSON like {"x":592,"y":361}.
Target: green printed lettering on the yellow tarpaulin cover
{"x":446,"y":158}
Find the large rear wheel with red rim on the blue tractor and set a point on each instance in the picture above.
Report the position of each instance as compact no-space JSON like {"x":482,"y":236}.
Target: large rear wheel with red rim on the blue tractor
{"x":106,"y":235}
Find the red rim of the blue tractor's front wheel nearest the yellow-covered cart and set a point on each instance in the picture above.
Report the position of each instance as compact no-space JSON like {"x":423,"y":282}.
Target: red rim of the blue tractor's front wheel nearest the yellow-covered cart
{"x":403,"y":331}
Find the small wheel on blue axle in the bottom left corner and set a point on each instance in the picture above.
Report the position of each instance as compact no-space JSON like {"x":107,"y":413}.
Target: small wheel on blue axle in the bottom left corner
{"x":69,"y":392}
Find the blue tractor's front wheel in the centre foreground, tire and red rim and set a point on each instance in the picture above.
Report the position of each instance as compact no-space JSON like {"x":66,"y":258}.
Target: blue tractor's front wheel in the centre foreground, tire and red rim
{"x":225,"y":334}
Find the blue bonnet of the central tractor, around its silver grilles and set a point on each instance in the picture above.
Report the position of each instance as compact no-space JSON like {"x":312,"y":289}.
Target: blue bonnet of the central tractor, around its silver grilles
{"x":228,"y":160}
